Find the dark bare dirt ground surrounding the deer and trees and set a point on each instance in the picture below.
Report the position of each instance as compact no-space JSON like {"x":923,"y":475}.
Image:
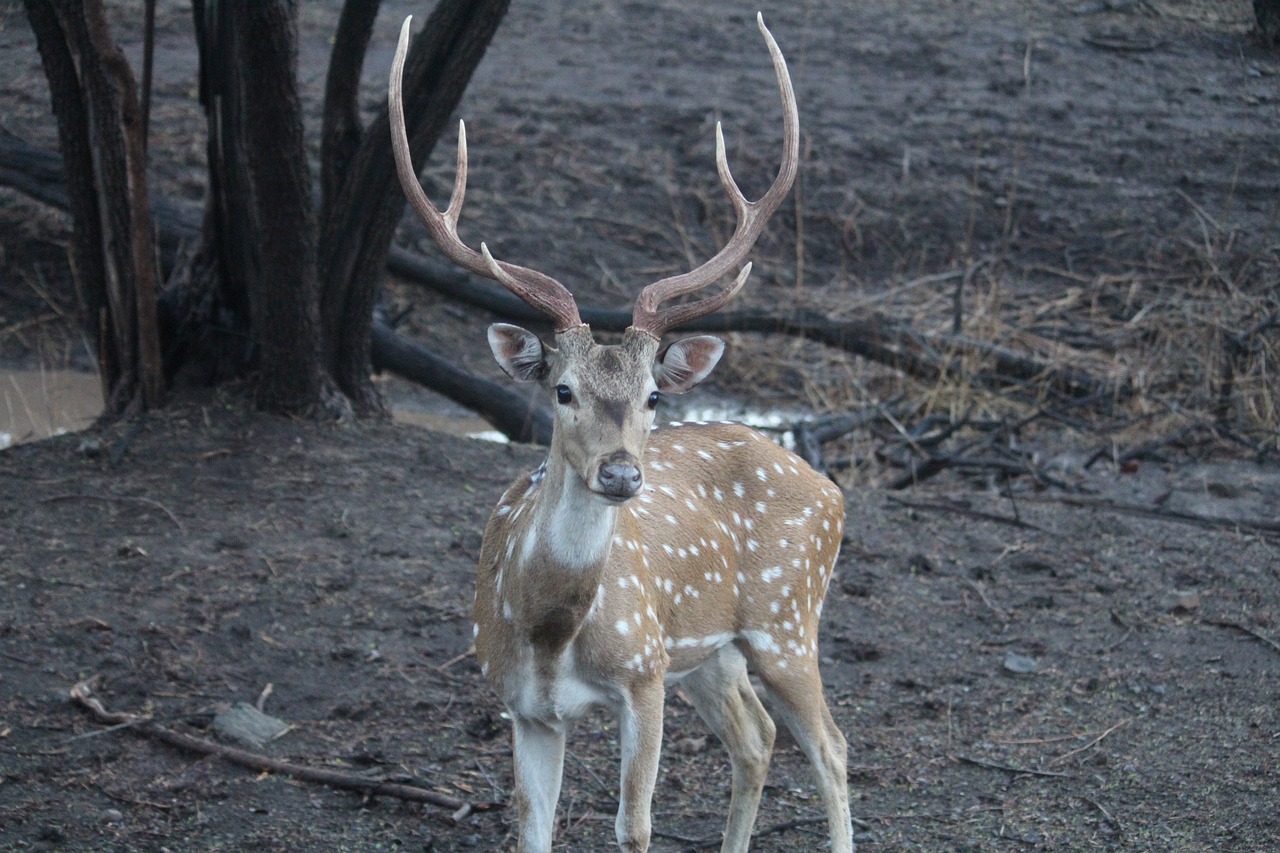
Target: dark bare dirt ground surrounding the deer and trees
{"x":1087,"y":667}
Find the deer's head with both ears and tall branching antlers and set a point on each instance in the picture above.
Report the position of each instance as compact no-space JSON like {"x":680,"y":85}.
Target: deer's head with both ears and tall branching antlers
{"x":606,"y":395}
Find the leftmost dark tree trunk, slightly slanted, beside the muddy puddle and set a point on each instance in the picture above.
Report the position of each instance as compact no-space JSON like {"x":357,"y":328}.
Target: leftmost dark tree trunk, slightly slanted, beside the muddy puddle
{"x":103,"y":138}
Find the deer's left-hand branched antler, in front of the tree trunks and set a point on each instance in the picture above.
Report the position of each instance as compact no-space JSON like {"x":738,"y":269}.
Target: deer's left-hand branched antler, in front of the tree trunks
{"x":538,"y":290}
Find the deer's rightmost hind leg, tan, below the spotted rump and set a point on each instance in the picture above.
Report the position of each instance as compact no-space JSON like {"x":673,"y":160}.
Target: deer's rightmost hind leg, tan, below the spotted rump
{"x":797,"y":699}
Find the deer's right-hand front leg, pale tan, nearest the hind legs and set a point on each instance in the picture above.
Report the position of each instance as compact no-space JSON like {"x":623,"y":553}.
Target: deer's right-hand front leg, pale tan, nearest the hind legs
{"x":641,"y":733}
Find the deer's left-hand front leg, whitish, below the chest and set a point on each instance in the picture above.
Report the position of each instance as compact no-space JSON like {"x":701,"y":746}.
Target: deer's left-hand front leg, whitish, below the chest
{"x":540,"y":758}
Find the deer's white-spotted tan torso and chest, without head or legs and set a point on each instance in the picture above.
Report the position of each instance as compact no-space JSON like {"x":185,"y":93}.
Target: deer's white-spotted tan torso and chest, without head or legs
{"x":733,"y":541}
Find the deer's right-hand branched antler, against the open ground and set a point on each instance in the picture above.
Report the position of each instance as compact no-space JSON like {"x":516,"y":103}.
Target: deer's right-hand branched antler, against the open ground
{"x":752,"y":216}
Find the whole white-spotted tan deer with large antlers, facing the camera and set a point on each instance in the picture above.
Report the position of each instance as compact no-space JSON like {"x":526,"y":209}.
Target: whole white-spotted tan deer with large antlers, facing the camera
{"x":641,"y":556}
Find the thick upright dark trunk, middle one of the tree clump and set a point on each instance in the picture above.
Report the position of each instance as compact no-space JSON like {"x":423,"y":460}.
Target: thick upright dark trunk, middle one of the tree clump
{"x":263,"y":223}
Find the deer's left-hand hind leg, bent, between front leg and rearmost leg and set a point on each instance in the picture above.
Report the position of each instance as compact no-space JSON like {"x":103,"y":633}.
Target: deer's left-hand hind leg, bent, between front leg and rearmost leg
{"x":723,"y":695}
